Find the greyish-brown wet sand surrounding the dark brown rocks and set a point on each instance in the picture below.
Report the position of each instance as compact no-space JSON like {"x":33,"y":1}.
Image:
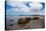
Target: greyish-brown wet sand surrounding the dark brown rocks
{"x":33,"y":24}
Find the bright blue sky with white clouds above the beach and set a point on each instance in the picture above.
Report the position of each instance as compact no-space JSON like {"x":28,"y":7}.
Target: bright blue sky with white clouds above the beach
{"x":24,"y":8}
